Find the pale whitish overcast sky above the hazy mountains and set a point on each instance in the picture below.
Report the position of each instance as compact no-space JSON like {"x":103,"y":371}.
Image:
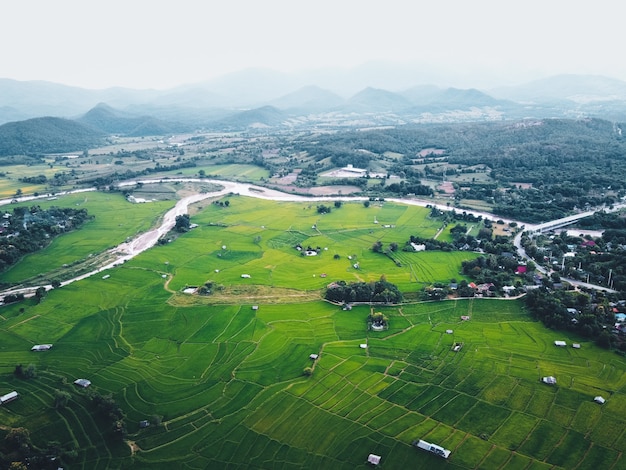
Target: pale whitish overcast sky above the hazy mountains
{"x":161,"y":44}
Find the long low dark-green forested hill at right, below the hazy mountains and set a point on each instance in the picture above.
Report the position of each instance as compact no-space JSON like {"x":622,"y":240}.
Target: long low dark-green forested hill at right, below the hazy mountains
{"x":585,"y":150}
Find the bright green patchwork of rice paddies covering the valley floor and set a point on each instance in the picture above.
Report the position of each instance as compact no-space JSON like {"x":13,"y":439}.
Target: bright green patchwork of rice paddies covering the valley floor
{"x":222,"y":383}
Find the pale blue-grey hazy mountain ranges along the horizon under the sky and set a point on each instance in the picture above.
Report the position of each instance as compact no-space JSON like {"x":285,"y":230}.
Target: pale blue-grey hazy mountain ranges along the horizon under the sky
{"x":266,"y":98}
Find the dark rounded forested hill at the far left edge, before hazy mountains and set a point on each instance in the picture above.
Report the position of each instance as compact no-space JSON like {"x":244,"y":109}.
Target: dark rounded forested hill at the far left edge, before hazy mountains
{"x":46,"y":135}
